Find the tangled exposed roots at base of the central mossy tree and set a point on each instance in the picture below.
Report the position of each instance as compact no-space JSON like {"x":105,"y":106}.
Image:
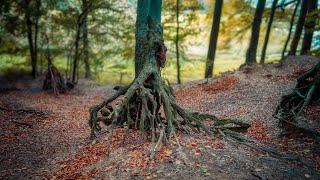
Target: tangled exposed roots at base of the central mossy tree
{"x":148,"y":104}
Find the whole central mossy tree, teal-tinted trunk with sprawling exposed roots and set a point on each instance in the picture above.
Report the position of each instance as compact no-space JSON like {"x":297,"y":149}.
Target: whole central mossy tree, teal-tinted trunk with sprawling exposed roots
{"x":148,"y":103}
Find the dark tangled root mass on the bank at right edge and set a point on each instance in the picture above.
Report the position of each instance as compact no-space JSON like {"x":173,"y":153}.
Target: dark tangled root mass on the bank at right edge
{"x":293,"y":105}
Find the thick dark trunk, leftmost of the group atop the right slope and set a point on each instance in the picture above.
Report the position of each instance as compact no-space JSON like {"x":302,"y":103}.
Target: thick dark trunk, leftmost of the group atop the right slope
{"x":255,"y":31}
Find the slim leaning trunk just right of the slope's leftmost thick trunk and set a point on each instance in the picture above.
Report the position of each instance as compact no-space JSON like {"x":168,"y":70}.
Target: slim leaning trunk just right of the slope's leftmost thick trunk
{"x":266,"y":40}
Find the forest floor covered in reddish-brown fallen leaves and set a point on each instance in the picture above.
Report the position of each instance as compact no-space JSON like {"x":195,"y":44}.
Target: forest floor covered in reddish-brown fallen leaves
{"x":43,"y":136}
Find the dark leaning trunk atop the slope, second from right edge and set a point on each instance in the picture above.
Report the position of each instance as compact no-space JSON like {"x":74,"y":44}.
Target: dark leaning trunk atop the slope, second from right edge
{"x":299,"y":28}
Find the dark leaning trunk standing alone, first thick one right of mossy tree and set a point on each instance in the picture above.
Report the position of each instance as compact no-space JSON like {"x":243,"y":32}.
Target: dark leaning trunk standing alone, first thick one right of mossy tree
{"x":213,"y":38}
